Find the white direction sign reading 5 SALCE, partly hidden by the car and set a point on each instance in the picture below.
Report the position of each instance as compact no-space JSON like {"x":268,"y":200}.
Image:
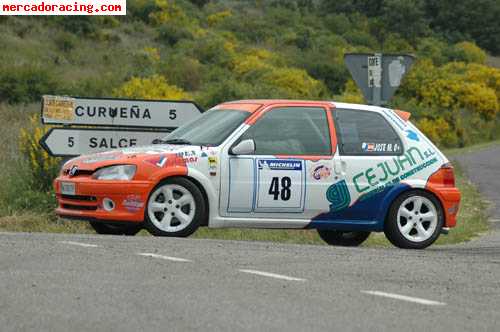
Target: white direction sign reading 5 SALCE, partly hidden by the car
{"x":60,"y":142}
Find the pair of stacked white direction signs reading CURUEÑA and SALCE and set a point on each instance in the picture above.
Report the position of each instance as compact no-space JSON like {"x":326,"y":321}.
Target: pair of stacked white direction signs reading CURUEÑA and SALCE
{"x":128,"y":123}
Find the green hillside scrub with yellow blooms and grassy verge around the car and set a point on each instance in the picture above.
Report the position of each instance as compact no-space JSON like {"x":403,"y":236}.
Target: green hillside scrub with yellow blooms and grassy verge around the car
{"x":214,"y":51}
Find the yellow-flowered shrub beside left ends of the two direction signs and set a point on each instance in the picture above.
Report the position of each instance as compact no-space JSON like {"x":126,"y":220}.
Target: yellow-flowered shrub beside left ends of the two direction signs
{"x":43,"y":167}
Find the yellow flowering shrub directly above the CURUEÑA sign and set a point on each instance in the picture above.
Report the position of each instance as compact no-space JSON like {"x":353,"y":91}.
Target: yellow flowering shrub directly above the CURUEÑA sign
{"x":153,"y":87}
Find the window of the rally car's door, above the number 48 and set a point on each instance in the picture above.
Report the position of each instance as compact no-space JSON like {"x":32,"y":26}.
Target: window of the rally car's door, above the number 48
{"x":291,"y":131}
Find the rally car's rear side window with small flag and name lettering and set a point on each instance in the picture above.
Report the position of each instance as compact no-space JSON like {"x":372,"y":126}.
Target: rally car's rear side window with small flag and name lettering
{"x":364,"y":133}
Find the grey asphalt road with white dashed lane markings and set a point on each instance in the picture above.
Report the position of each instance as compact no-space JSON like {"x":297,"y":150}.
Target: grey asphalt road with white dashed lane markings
{"x":108,"y":283}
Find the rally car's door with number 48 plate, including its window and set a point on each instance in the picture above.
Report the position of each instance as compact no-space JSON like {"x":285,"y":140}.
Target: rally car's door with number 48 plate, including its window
{"x":290,"y":170}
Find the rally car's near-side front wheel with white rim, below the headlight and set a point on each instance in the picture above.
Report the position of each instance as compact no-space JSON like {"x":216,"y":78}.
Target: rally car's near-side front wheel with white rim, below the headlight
{"x":175,"y":208}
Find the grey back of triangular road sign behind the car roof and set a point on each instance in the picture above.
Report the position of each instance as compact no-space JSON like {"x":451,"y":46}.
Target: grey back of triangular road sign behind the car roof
{"x":378,"y":75}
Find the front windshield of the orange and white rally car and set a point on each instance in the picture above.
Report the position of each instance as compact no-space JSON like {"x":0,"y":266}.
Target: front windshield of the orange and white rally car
{"x":210,"y":129}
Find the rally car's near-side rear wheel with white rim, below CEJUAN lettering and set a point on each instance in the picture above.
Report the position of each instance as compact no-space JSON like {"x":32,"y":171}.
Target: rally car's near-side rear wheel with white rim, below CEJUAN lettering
{"x":415,"y":220}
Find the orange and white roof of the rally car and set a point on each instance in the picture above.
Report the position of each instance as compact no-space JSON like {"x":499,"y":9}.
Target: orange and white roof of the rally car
{"x":252,"y":105}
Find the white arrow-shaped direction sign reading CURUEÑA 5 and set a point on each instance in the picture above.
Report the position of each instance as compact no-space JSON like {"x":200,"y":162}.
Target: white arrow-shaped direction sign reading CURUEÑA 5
{"x":117,"y":112}
